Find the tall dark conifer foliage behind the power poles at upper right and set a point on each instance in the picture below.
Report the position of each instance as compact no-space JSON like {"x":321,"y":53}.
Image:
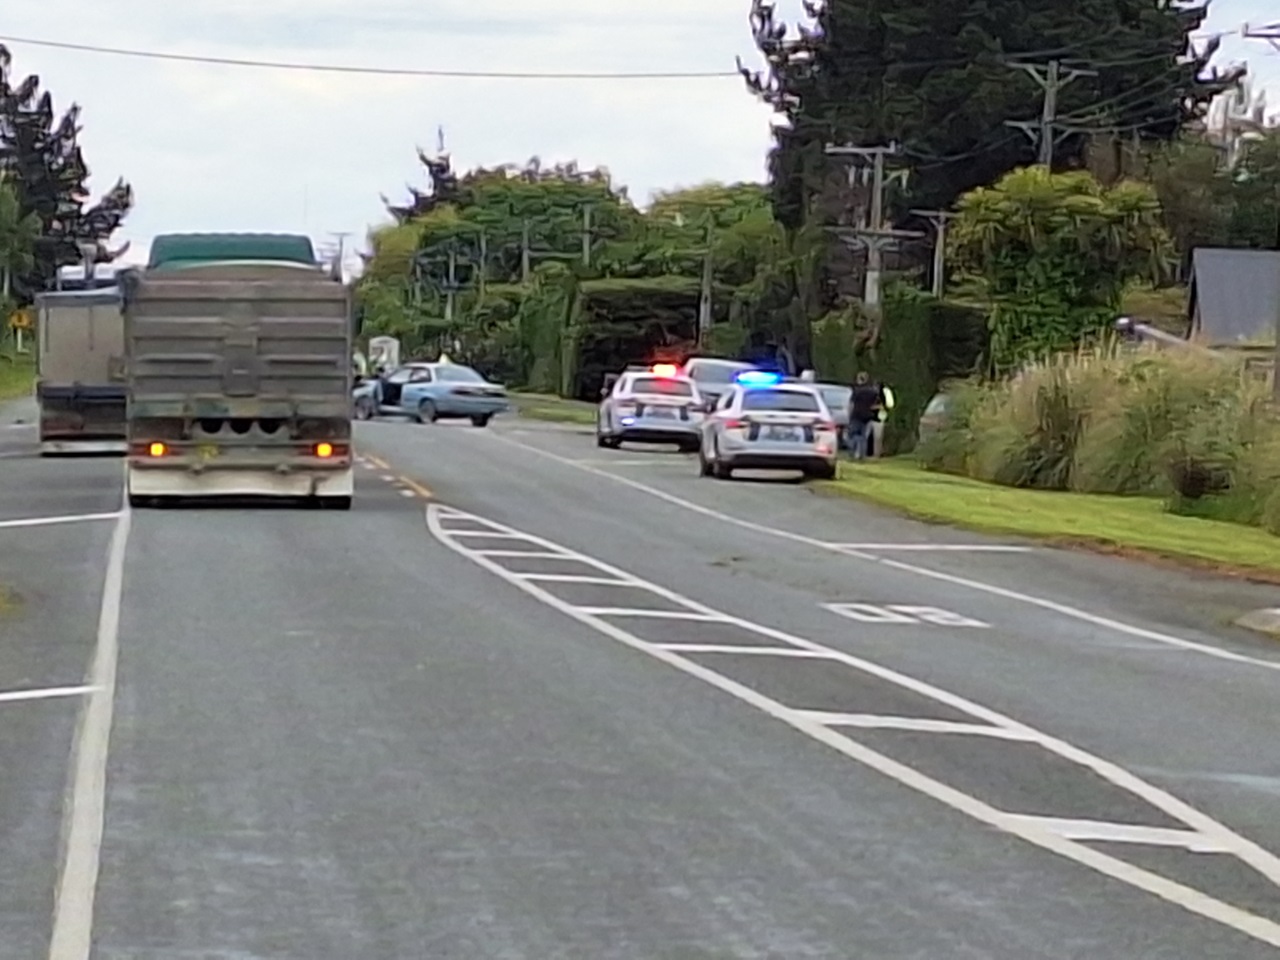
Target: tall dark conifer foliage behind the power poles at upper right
{"x":935,"y":76}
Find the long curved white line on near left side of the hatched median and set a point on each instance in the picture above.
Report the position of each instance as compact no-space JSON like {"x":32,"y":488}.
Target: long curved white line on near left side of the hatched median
{"x":1172,"y":892}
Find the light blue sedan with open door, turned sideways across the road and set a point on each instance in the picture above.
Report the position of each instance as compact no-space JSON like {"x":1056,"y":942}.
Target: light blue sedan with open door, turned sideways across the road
{"x":431,"y":392}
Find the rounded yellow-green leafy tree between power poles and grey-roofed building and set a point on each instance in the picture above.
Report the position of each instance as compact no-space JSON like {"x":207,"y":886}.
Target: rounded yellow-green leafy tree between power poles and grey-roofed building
{"x":1055,"y":253}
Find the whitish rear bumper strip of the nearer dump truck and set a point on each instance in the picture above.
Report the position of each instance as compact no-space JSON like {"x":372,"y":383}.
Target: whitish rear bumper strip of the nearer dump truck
{"x":249,"y":482}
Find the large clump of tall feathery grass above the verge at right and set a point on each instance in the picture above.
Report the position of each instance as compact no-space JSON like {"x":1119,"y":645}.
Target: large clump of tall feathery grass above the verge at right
{"x":1186,"y":426}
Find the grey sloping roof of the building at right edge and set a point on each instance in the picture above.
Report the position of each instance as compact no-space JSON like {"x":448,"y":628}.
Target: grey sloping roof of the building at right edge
{"x":1238,"y":295}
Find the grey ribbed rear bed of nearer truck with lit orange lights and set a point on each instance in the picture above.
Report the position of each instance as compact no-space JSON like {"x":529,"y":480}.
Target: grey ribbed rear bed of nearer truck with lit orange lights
{"x":241,"y":373}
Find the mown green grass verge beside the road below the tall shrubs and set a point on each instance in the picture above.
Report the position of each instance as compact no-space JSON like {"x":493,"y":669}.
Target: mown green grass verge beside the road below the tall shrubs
{"x":1126,"y":525}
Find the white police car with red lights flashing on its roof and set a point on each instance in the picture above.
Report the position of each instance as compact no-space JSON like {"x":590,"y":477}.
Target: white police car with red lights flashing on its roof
{"x":651,"y":405}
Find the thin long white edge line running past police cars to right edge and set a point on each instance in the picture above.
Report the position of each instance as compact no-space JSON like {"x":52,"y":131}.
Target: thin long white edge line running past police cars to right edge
{"x":979,"y":586}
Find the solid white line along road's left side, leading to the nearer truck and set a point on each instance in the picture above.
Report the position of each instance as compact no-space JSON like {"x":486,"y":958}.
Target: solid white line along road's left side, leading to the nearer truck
{"x":77,"y":883}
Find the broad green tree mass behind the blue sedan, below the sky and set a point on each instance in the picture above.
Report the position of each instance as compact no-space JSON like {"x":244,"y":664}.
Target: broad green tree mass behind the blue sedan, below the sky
{"x":509,"y":244}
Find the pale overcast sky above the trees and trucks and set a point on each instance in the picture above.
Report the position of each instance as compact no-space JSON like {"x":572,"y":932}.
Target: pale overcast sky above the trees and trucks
{"x":232,"y":149}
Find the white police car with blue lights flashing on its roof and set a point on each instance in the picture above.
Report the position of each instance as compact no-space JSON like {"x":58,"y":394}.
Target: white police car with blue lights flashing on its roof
{"x":764,"y":423}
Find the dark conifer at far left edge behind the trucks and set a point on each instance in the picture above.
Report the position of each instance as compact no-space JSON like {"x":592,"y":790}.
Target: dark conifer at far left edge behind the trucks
{"x":42,"y":158}
